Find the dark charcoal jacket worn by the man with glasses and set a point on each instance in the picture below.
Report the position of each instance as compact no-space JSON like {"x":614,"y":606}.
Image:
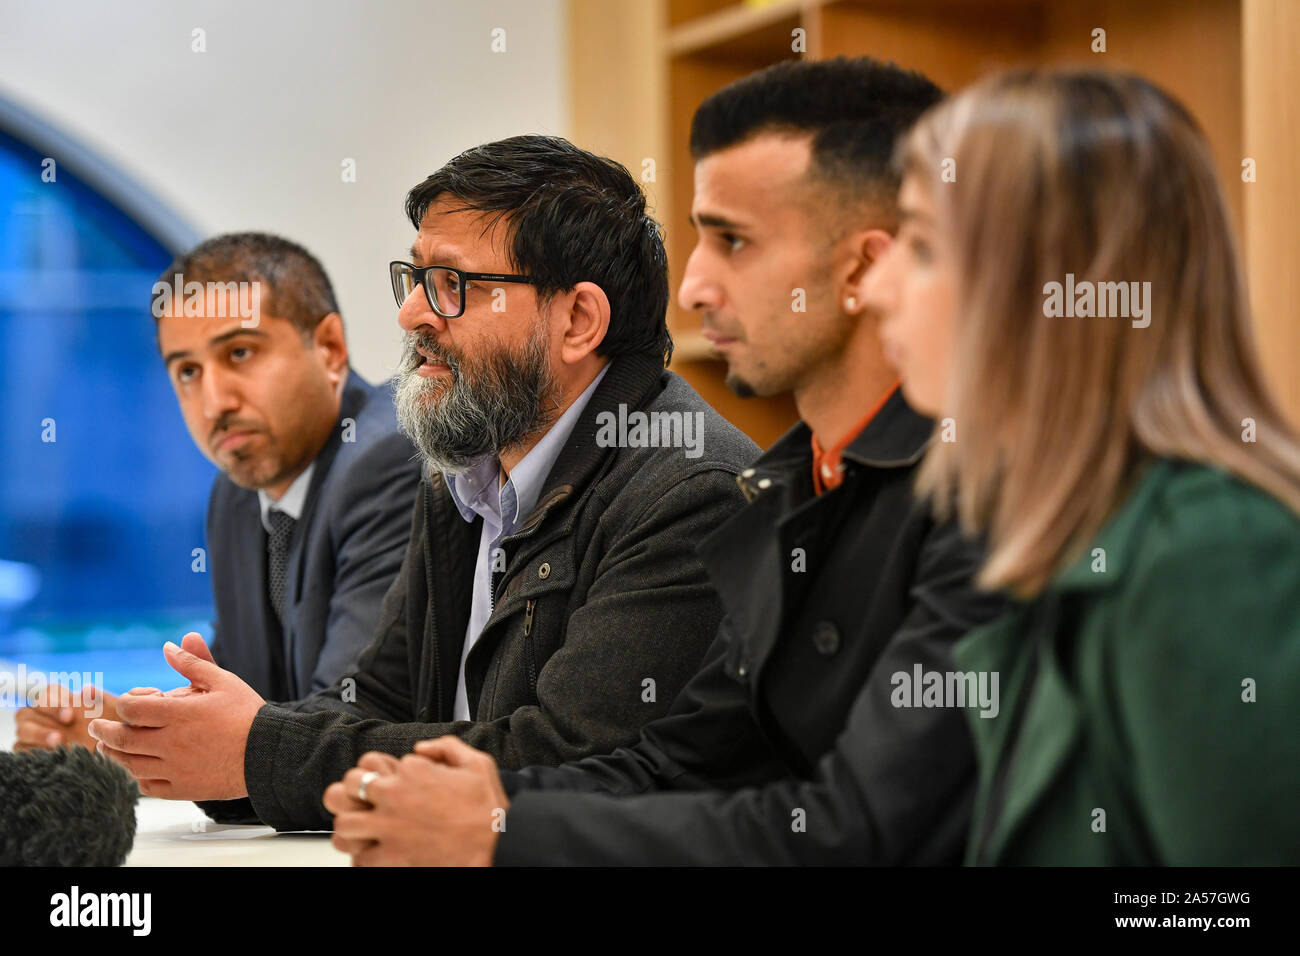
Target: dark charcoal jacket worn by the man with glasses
{"x":603,"y":592}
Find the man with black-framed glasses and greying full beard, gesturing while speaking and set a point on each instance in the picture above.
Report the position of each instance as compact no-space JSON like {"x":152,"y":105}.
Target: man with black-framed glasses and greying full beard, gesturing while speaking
{"x":551,"y":602}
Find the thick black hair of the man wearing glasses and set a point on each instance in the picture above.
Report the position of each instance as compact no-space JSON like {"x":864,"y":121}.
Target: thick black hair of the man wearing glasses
{"x":573,"y":218}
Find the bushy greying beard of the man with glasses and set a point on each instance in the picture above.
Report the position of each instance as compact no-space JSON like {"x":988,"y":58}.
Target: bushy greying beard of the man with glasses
{"x":489,"y":405}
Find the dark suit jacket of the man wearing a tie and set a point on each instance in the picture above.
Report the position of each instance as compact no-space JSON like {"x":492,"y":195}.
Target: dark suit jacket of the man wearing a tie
{"x":345,"y":553}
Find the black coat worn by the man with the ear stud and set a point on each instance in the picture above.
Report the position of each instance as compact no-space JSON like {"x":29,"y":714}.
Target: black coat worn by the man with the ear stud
{"x":787,"y":749}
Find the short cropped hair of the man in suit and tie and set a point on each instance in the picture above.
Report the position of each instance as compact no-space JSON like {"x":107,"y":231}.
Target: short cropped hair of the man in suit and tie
{"x":296,"y":284}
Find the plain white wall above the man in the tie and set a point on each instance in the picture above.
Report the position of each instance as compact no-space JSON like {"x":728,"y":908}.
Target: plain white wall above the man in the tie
{"x":252,"y":133}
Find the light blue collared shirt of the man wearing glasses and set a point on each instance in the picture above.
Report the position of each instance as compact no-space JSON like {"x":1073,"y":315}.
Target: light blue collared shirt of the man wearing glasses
{"x":475,"y":492}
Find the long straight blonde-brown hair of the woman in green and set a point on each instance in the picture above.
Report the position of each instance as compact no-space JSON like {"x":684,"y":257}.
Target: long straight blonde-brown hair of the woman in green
{"x":1106,"y":178}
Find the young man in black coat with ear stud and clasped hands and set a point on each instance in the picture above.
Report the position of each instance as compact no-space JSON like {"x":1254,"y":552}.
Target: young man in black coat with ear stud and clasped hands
{"x":792,"y":743}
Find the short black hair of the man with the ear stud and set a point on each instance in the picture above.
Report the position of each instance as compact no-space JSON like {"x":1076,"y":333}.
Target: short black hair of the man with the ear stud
{"x":856,"y":109}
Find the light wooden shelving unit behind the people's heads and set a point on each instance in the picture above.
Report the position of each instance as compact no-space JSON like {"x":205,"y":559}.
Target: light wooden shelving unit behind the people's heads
{"x":642,"y":67}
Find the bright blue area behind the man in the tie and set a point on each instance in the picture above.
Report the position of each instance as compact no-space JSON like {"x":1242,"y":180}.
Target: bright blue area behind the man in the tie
{"x":97,"y":527}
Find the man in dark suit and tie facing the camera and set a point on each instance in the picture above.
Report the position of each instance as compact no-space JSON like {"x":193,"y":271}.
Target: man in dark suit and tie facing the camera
{"x":311,"y":514}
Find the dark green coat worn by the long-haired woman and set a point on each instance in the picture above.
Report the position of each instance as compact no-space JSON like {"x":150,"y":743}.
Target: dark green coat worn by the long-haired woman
{"x":1134,"y":684}
